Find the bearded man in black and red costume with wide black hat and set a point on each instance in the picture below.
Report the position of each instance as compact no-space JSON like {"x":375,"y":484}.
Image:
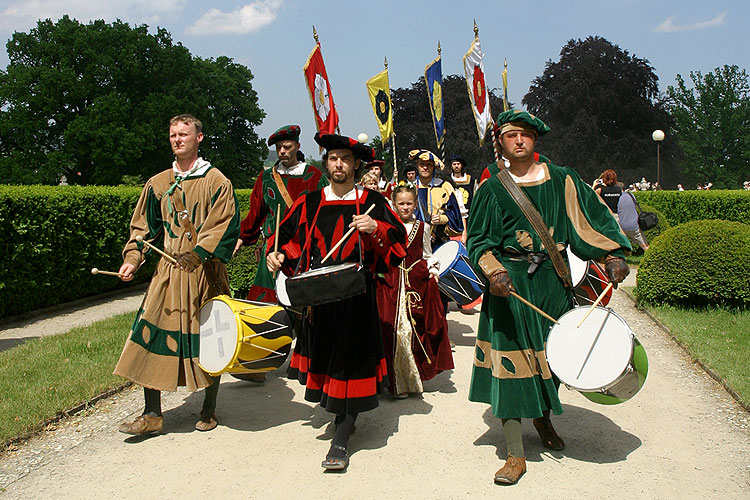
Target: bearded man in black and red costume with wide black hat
{"x":339,"y":355}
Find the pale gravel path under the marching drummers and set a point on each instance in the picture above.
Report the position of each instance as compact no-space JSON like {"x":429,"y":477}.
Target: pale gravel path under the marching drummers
{"x":681,"y":435}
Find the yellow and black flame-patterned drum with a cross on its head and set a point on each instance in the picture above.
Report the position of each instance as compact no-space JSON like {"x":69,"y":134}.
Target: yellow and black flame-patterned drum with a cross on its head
{"x":241,"y":336}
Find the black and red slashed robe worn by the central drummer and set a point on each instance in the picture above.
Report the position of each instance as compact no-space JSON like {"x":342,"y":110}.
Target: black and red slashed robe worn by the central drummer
{"x":339,"y":356}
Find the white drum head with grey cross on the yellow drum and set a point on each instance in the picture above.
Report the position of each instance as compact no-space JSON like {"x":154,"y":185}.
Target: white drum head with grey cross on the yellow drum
{"x":218,"y":336}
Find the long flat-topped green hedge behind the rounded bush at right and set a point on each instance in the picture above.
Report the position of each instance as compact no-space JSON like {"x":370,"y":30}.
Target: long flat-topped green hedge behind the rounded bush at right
{"x":685,"y":206}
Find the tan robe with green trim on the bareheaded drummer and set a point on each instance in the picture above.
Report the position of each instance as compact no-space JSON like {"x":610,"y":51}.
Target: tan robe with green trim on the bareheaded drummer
{"x":163,"y":346}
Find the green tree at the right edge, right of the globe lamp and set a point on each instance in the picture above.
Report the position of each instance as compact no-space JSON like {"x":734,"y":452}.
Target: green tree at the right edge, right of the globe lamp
{"x":712,"y":125}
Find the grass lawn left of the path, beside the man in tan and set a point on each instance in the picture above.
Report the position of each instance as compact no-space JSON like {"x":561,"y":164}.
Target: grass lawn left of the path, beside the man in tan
{"x":49,"y":375}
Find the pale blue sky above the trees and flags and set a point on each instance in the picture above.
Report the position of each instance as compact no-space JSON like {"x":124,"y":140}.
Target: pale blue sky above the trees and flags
{"x":274,"y":38}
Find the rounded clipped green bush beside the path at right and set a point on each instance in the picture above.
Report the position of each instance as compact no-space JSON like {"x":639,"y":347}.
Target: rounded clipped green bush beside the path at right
{"x":698,"y":264}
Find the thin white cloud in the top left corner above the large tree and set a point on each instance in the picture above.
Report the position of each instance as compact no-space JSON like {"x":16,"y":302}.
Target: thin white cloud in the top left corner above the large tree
{"x":19,"y":15}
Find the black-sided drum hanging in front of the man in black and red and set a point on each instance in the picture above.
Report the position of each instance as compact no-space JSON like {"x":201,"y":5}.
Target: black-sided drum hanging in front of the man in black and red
{"x":326,"y":284}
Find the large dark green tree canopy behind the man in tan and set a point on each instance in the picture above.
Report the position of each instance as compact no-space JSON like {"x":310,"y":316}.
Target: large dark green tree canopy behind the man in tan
{"x":92,"y":102}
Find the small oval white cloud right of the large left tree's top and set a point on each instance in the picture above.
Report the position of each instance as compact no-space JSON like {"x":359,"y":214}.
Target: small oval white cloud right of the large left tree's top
{"x":246,"y":19}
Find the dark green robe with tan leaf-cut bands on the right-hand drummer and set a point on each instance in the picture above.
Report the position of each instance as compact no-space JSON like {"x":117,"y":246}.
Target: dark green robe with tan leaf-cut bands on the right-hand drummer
{"x":510,"y":365}
